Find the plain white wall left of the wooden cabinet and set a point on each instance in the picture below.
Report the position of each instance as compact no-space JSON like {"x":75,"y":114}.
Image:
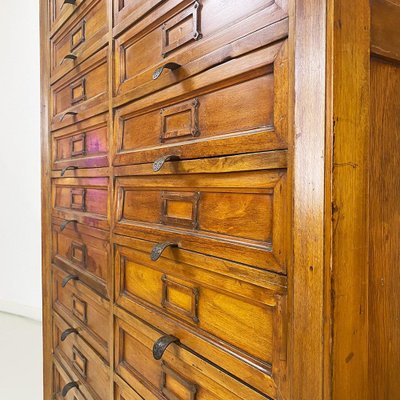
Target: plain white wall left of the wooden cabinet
{"x":20,"y":253}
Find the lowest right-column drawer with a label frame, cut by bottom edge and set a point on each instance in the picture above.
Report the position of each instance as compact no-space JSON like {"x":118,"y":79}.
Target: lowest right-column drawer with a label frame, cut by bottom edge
{"x":178,"y":375}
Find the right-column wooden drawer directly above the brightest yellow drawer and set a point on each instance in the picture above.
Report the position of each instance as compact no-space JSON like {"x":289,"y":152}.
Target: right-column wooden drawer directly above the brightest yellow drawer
{"x":230,"y":207}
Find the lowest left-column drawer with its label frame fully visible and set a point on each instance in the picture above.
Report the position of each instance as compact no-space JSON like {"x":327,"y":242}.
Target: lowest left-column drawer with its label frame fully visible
{"x":81,"y":358}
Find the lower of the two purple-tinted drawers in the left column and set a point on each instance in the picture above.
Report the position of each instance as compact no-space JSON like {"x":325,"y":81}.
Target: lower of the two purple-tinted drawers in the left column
{"x":82,"y":199}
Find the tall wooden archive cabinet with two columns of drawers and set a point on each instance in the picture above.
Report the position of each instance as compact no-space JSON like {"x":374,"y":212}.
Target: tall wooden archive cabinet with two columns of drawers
{"x":220,"y":199}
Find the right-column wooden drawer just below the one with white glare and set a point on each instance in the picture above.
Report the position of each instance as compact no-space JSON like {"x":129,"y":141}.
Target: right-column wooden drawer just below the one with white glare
{"x":216,"y":117}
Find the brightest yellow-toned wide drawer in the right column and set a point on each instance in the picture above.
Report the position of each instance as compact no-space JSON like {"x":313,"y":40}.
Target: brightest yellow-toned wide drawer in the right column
{"x":211,"y":305}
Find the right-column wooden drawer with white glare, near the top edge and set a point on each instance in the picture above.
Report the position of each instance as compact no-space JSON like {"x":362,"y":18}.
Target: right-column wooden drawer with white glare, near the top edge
{"x":183,"y":38}
